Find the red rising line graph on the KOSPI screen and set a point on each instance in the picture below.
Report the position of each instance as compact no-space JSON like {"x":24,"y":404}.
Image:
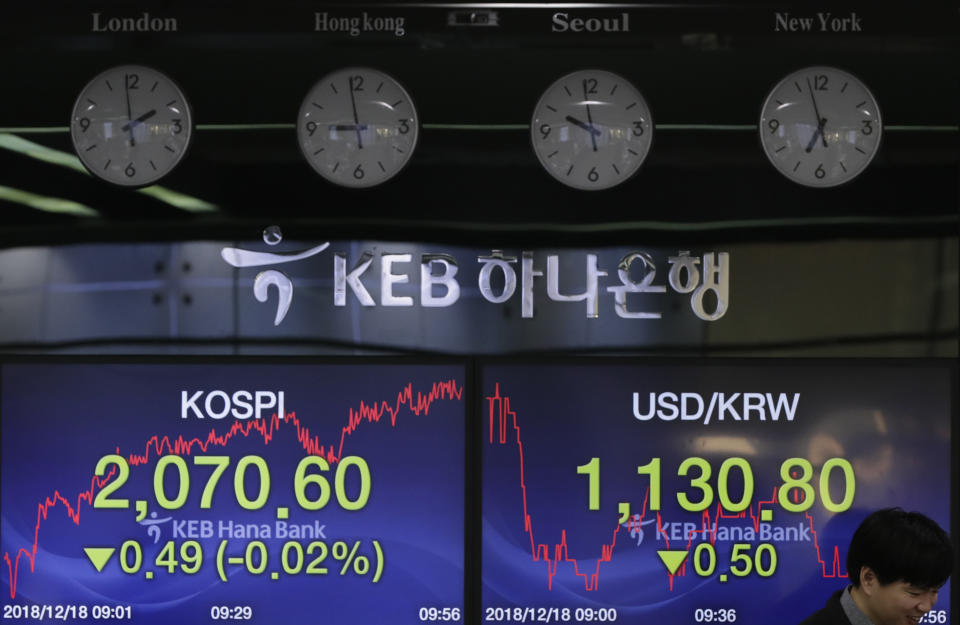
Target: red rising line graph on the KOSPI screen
{"x":156,"y":446}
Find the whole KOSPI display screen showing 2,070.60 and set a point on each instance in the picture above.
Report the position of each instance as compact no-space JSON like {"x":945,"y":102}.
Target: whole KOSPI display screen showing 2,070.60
{"x":260,"y":492}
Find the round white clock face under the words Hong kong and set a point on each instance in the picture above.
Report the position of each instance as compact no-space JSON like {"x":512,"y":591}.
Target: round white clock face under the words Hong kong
{"x":357,"y":127}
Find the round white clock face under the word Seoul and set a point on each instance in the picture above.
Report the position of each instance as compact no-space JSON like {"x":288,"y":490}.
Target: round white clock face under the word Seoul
{"x":591,"y":129}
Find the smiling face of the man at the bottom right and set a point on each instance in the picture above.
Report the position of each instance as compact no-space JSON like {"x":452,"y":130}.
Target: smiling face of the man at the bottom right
{"x":897,"y":603}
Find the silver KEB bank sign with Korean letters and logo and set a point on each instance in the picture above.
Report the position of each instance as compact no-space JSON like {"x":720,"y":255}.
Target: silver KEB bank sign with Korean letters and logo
{"x":637,"y":283}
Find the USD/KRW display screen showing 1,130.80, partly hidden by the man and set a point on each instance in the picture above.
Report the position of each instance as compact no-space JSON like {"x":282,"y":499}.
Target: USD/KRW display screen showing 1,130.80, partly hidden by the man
{"x":718,"y":492}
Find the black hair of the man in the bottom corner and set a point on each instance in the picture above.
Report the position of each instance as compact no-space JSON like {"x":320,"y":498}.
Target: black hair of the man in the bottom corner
{"x":899,"y":545}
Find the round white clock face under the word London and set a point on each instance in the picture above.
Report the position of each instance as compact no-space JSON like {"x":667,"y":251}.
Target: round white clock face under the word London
{"x":131,"y":125}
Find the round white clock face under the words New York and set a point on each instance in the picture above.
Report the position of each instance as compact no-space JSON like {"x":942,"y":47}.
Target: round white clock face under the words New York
{"x":820,"y":127}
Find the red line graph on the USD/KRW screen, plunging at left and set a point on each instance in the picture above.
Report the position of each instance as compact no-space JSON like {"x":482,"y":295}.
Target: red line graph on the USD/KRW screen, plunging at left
{"x":503,"y":420}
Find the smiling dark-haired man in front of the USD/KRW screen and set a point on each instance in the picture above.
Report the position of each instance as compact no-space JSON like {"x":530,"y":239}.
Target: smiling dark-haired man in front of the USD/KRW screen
{"x":897,"y":563}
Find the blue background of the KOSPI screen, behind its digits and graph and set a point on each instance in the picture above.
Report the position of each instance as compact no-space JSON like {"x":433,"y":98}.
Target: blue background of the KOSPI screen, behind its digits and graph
{"x":59,"y":419}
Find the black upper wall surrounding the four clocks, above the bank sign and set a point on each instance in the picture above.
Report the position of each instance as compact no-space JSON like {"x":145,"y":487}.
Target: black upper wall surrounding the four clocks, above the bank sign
{"x":704,"y":70}
